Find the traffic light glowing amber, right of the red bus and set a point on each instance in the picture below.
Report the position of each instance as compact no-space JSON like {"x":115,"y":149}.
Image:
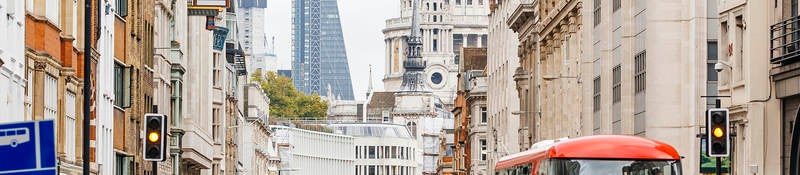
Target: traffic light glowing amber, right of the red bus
{"x":717,"y":124}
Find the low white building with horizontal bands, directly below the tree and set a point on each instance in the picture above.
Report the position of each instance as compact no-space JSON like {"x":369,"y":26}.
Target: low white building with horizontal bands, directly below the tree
{"x":305,"y":152}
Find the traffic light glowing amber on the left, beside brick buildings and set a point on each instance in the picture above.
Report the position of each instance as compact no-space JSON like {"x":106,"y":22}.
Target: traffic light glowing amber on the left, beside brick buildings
{"x":154,"y":149}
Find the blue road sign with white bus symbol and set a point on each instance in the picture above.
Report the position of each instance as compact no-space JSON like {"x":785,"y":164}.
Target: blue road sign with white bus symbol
{"x":28,"y":148}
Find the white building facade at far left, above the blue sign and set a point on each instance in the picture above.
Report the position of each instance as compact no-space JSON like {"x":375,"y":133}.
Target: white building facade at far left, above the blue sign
{"x":12,"y":61}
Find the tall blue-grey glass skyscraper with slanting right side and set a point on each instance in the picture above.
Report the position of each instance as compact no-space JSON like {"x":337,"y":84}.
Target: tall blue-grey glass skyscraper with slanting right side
{"x":318,"y":54}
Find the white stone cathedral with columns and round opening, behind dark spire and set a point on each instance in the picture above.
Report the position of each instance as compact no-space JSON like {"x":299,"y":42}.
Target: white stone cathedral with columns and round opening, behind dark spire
{"x":446,"y":26}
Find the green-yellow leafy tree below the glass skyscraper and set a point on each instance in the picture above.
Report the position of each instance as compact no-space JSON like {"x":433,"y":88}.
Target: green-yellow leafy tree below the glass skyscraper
{"x":286,"y":101}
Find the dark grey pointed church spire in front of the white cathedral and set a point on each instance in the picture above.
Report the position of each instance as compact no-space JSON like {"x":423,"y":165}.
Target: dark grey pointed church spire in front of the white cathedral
{"x":413,"y":77}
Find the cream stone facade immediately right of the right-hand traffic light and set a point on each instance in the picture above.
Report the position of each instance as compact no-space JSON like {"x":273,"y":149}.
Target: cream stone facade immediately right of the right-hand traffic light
{"x":759,"y":72}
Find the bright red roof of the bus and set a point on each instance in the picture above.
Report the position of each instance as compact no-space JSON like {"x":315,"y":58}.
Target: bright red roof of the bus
{"x":596,"y":147}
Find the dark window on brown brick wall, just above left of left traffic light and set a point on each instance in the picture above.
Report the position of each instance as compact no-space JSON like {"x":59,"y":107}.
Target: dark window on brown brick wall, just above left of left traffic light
{"x":122,"y":86}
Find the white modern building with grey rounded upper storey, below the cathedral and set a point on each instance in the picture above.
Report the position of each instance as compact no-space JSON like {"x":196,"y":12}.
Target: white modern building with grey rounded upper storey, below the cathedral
{"x":381,"y":148}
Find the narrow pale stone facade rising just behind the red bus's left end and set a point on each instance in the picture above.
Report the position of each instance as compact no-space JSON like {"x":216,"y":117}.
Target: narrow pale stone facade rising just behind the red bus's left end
{"x":504,"y":127}
